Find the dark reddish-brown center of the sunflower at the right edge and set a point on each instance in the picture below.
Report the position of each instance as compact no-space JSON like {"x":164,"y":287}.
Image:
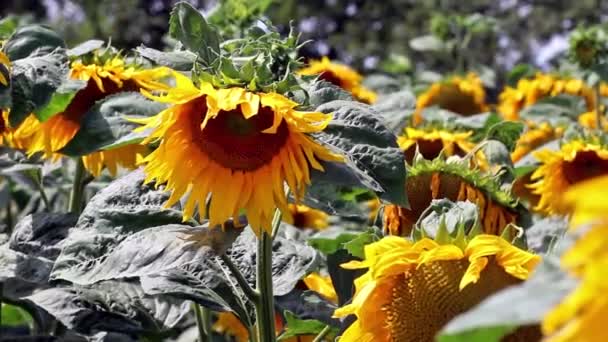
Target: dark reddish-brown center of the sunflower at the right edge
{"x":586,"y":165}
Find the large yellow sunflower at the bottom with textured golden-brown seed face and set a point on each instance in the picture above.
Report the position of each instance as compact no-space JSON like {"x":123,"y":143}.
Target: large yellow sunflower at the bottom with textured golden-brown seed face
{"x":412,"y":289}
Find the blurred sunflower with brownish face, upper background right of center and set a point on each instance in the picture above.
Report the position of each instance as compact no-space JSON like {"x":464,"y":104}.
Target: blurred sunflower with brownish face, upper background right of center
{"x":462,"y":95}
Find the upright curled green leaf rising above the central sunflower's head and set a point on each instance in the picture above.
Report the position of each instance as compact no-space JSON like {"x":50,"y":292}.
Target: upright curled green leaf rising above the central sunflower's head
{"x":189,"y":27}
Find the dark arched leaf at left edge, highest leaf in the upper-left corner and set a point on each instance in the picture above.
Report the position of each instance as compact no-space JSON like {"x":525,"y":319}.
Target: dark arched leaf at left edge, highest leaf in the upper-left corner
{"x":31,"y":39}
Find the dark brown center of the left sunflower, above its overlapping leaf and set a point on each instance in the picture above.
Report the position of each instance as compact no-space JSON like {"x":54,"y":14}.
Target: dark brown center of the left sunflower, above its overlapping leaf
{"x":86,"y":97}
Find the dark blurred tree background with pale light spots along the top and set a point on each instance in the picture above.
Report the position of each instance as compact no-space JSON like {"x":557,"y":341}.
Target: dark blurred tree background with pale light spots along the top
{"x":393,"y":36}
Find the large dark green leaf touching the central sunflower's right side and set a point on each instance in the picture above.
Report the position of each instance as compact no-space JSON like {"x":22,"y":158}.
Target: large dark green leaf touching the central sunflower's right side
{"x":373,"y":159}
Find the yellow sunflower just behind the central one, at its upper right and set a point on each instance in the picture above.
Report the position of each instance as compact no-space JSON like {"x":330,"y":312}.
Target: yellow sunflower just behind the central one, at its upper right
{"x":341,"y":75}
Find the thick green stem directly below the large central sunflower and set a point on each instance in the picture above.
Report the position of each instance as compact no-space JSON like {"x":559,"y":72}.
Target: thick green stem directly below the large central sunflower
{"x":264,"y":307}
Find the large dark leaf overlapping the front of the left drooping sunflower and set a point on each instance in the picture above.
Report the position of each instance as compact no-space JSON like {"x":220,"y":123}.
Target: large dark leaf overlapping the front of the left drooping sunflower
{"x":106,"y":124}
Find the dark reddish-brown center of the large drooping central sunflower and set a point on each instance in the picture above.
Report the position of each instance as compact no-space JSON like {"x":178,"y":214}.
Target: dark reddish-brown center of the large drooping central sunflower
{"x":237,"y":143}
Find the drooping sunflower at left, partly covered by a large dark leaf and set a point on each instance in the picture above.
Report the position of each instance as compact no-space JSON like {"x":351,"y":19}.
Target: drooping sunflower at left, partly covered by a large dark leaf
{"x":103,"y":79}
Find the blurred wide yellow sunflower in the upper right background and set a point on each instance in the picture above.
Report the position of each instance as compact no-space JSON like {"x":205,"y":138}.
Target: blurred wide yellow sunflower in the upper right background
{"x":529,"y":91}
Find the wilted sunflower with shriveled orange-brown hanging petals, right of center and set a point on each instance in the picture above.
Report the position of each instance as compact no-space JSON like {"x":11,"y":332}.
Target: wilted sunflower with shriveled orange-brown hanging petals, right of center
{"x":429,"y":180}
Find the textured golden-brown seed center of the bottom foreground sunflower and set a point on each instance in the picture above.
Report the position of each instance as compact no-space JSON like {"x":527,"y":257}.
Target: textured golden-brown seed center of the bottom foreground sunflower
{"x":424,"y":300}
